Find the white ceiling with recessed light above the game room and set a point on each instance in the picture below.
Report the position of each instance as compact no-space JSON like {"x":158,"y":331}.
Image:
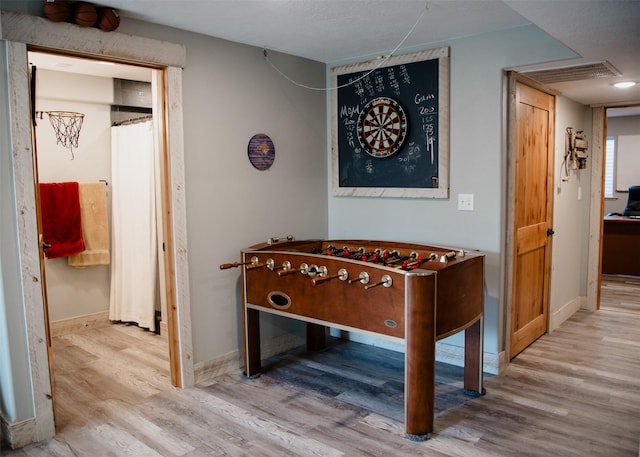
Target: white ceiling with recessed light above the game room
{"x":331,"y":31}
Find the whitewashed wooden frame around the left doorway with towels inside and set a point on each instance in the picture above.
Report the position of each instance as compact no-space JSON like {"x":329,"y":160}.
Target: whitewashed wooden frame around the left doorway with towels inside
{"x":20,"y":32}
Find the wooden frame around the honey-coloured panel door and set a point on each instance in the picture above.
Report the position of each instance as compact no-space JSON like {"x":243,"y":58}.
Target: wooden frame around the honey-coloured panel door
{"x":511,"y":150}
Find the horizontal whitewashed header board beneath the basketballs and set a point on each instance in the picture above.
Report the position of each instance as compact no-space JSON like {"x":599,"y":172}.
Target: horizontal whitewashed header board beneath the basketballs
{"x":40,"y":32}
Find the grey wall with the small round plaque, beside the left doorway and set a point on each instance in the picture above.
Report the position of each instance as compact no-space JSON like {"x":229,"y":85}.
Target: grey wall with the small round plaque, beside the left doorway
{"x":230,"y":94}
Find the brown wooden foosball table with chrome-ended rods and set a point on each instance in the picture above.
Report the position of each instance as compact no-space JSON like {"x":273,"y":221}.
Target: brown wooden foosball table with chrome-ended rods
{"x":410,"y":293}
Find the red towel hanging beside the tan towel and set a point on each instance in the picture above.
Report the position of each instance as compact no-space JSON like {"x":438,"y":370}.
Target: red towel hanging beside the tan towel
{"x":61,"y":219}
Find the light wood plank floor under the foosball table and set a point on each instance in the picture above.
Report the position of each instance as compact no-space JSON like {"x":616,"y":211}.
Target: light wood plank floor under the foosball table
{"x":574,"y":392}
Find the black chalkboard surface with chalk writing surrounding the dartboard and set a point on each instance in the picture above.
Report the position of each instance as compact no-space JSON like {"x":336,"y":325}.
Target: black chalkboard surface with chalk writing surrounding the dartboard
{"x":416,"y":87}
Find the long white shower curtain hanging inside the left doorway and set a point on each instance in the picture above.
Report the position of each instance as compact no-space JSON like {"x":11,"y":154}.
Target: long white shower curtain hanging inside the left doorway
{"x":134,"y":265}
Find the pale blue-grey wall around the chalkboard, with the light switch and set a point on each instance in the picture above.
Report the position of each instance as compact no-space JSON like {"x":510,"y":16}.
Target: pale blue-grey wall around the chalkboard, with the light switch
{"x":477,"y":164}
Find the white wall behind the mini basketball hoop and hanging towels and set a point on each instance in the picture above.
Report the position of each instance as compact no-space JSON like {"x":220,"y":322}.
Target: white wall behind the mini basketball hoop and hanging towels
{"x":74,"y":292}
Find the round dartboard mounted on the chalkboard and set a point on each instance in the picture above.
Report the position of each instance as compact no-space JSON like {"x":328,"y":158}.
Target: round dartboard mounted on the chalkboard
{"x":382,"y":127}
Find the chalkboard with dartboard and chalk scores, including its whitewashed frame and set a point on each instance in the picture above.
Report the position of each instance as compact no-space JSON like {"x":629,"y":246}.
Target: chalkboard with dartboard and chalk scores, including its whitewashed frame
{"x":390,"y":132}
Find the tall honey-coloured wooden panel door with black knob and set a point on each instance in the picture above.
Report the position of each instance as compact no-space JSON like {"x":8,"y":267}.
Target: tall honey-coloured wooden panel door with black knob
{"x":533,"y":193}
